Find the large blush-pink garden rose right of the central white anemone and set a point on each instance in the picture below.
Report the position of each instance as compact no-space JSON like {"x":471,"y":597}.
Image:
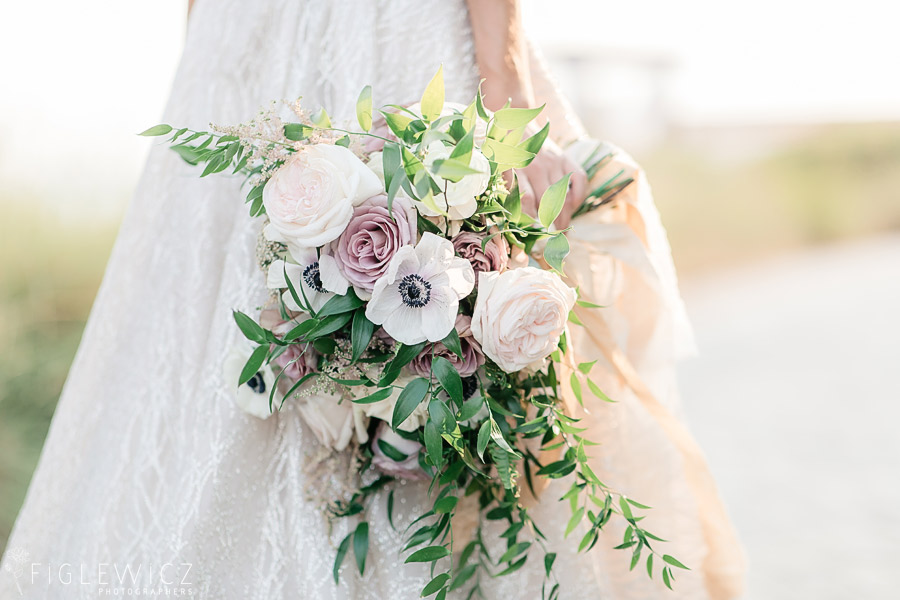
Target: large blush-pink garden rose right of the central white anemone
{"x":520,"y":315}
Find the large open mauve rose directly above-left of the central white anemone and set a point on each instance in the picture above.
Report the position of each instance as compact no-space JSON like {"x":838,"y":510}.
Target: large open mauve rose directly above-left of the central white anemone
{"x":371,"y":239}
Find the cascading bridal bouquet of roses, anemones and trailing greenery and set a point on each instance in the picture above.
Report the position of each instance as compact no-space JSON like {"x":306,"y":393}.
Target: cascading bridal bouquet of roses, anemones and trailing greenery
{"x":418,"y":318}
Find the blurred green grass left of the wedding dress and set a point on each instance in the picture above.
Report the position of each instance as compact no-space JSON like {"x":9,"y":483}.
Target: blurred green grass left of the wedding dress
{"x":49,"y":274}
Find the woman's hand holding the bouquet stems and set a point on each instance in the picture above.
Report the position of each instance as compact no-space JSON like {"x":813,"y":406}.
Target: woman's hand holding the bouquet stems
{"x":549,"y":166}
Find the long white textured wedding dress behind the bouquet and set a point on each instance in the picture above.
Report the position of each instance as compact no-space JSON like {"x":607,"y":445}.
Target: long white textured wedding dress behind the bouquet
{"x":149,"y":463}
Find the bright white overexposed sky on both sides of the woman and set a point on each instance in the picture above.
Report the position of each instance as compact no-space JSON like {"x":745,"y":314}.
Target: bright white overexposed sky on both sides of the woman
{"x":80,"y":78}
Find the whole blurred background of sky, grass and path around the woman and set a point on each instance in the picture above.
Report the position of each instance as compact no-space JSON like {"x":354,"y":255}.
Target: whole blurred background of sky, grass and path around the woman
{"x":771,"y":133}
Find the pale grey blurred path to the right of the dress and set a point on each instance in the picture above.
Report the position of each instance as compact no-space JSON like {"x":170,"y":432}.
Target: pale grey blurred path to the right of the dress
{"x":796,"y":400}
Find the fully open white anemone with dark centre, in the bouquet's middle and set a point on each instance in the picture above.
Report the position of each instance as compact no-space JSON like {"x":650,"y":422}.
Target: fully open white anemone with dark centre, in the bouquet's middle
{"x":418,"y":296}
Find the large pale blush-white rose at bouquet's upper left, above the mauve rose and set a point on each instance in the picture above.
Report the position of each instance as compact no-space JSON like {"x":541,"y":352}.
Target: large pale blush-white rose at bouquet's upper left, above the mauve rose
{"x":310,"y":200}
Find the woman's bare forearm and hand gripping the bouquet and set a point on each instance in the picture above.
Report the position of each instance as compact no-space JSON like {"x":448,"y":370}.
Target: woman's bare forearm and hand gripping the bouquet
{"x":502,"y":56}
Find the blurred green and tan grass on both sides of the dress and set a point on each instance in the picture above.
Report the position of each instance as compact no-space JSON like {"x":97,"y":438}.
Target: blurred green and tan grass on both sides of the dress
{"x":840,"y":182}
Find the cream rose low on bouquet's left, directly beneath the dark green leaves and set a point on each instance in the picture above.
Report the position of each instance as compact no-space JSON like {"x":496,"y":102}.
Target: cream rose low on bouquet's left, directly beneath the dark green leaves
{"x":333,"y":420}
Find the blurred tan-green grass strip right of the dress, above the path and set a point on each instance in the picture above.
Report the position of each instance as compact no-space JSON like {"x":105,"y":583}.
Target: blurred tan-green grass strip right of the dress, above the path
{"x":841,"y":181}
